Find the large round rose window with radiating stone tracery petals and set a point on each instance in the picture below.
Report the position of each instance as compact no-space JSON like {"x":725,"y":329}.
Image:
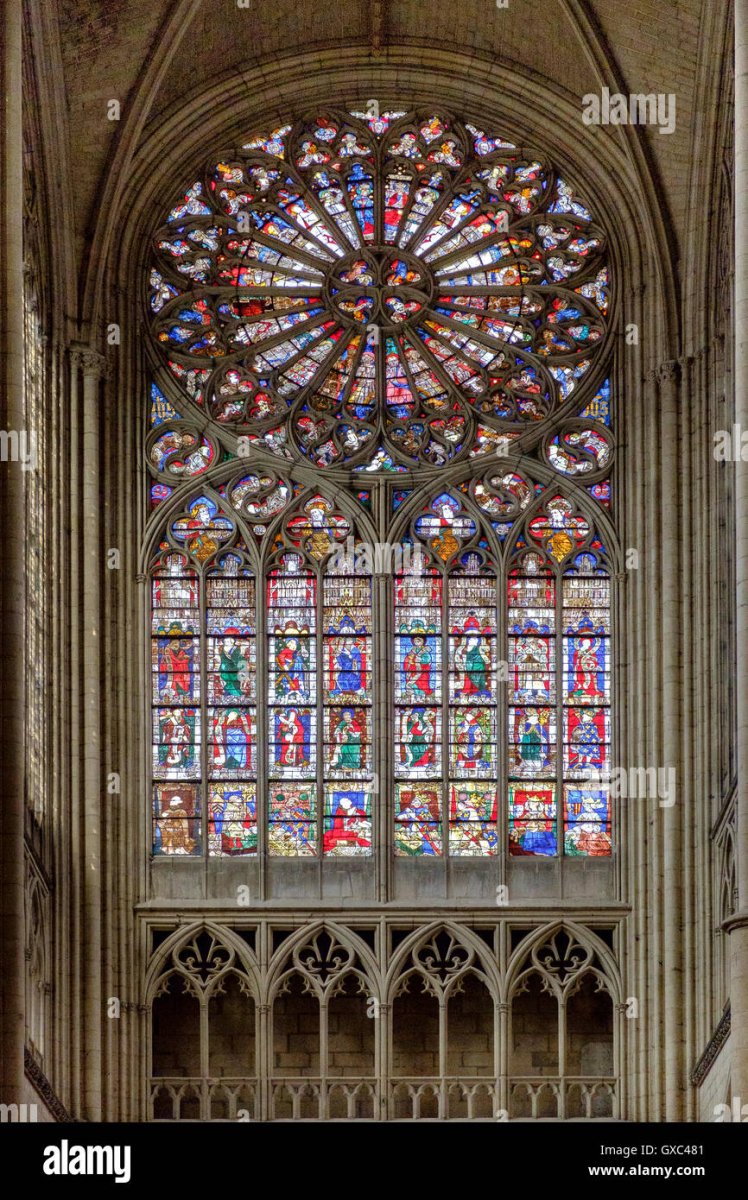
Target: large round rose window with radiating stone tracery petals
{"x":390,"y":290}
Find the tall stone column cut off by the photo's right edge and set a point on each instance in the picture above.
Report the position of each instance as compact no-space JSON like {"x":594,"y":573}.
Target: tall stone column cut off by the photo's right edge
{"x":739,"y":925}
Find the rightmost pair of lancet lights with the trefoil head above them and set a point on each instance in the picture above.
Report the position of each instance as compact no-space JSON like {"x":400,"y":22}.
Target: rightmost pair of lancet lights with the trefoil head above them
{"x":560,"y":689}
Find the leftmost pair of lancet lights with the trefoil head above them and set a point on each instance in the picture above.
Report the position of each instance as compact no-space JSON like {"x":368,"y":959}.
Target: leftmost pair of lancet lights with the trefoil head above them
{"x":205,"y":691}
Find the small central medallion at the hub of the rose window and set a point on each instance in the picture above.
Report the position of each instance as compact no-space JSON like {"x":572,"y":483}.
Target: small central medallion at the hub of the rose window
{"x":380,"y":287}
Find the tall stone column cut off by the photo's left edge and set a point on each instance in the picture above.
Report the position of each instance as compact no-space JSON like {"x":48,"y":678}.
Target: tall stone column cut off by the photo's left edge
{"x":13,"y":587}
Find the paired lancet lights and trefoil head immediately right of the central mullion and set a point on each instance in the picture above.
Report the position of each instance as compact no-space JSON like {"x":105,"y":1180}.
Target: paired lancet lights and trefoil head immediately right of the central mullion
{"x":446,"y":692}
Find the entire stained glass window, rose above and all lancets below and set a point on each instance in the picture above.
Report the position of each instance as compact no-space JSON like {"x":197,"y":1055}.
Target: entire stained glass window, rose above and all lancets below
{"x":374,"y":298}
